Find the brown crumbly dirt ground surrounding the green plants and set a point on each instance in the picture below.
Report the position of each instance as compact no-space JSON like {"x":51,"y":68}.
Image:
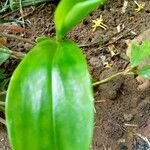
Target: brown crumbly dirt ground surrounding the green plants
{"x":122,"y":116}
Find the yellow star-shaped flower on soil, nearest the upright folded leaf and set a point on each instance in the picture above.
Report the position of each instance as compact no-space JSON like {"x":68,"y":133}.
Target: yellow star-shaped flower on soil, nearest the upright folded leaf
{"x":99,"y":23}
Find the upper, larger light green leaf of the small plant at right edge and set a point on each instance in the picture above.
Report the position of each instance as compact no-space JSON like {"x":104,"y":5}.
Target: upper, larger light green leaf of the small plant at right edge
{"x":139,"y":53}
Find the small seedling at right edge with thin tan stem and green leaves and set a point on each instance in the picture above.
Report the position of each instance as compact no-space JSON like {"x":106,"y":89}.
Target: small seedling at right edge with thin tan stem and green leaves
{"x":139,"y":61}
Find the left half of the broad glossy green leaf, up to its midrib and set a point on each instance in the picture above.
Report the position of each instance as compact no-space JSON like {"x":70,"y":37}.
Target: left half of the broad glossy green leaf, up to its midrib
{"x":29,"y":112}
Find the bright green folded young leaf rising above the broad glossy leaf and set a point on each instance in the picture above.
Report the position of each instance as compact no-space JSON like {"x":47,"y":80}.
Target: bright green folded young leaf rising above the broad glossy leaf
{"x":71,"y":12}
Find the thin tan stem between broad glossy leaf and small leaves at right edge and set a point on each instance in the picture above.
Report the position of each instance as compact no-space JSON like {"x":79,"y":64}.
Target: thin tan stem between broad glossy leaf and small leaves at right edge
{"x":125,"y":72}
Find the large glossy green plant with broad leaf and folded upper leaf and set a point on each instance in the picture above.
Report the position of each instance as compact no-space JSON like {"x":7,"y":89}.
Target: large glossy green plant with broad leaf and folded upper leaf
{"x":49,"y":103}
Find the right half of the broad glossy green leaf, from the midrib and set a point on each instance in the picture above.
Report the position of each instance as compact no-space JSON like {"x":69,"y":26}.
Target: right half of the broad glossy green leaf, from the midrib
{"x":73,"y":98}
